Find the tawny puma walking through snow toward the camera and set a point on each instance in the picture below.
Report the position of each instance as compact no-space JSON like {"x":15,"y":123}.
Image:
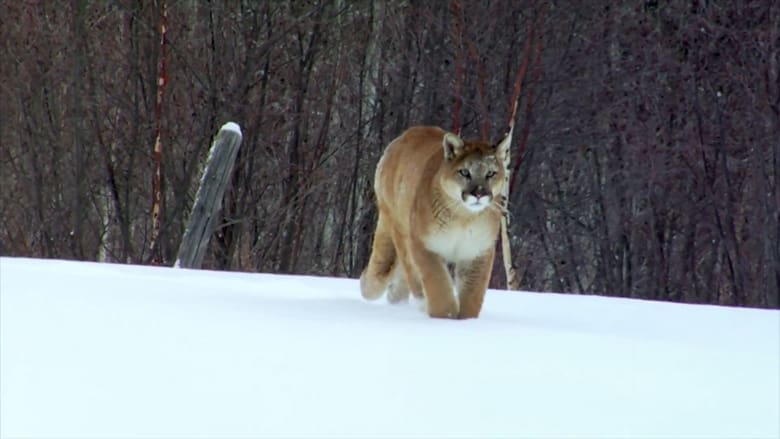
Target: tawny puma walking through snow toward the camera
{"x":439,"y":203}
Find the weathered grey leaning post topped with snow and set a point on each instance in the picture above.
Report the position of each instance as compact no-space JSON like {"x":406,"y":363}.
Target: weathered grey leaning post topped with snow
{"x":209,"y":197}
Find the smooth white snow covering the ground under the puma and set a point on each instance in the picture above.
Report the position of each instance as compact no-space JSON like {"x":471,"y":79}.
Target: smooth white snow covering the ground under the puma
{"x":101,"y":350}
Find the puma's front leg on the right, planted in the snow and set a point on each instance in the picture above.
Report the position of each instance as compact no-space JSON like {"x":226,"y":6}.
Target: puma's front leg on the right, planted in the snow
{"x":472,"y":278}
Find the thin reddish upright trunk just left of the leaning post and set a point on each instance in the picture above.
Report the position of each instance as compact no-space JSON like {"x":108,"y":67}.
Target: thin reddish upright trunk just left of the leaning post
{"x":162,"y":81}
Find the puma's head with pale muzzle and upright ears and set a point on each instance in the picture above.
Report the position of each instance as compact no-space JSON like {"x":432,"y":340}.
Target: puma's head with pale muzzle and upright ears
{"x":473,"y":172}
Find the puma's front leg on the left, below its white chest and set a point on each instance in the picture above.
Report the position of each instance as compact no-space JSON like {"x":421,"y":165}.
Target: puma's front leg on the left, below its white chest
{"x":436,"y":283}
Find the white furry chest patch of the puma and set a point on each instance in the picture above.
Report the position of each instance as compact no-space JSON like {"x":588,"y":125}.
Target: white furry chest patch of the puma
{"x":463,"y":242}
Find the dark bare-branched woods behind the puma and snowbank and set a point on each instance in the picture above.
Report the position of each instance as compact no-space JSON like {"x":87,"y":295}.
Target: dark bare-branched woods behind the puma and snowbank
{"x":651,"y":167}
